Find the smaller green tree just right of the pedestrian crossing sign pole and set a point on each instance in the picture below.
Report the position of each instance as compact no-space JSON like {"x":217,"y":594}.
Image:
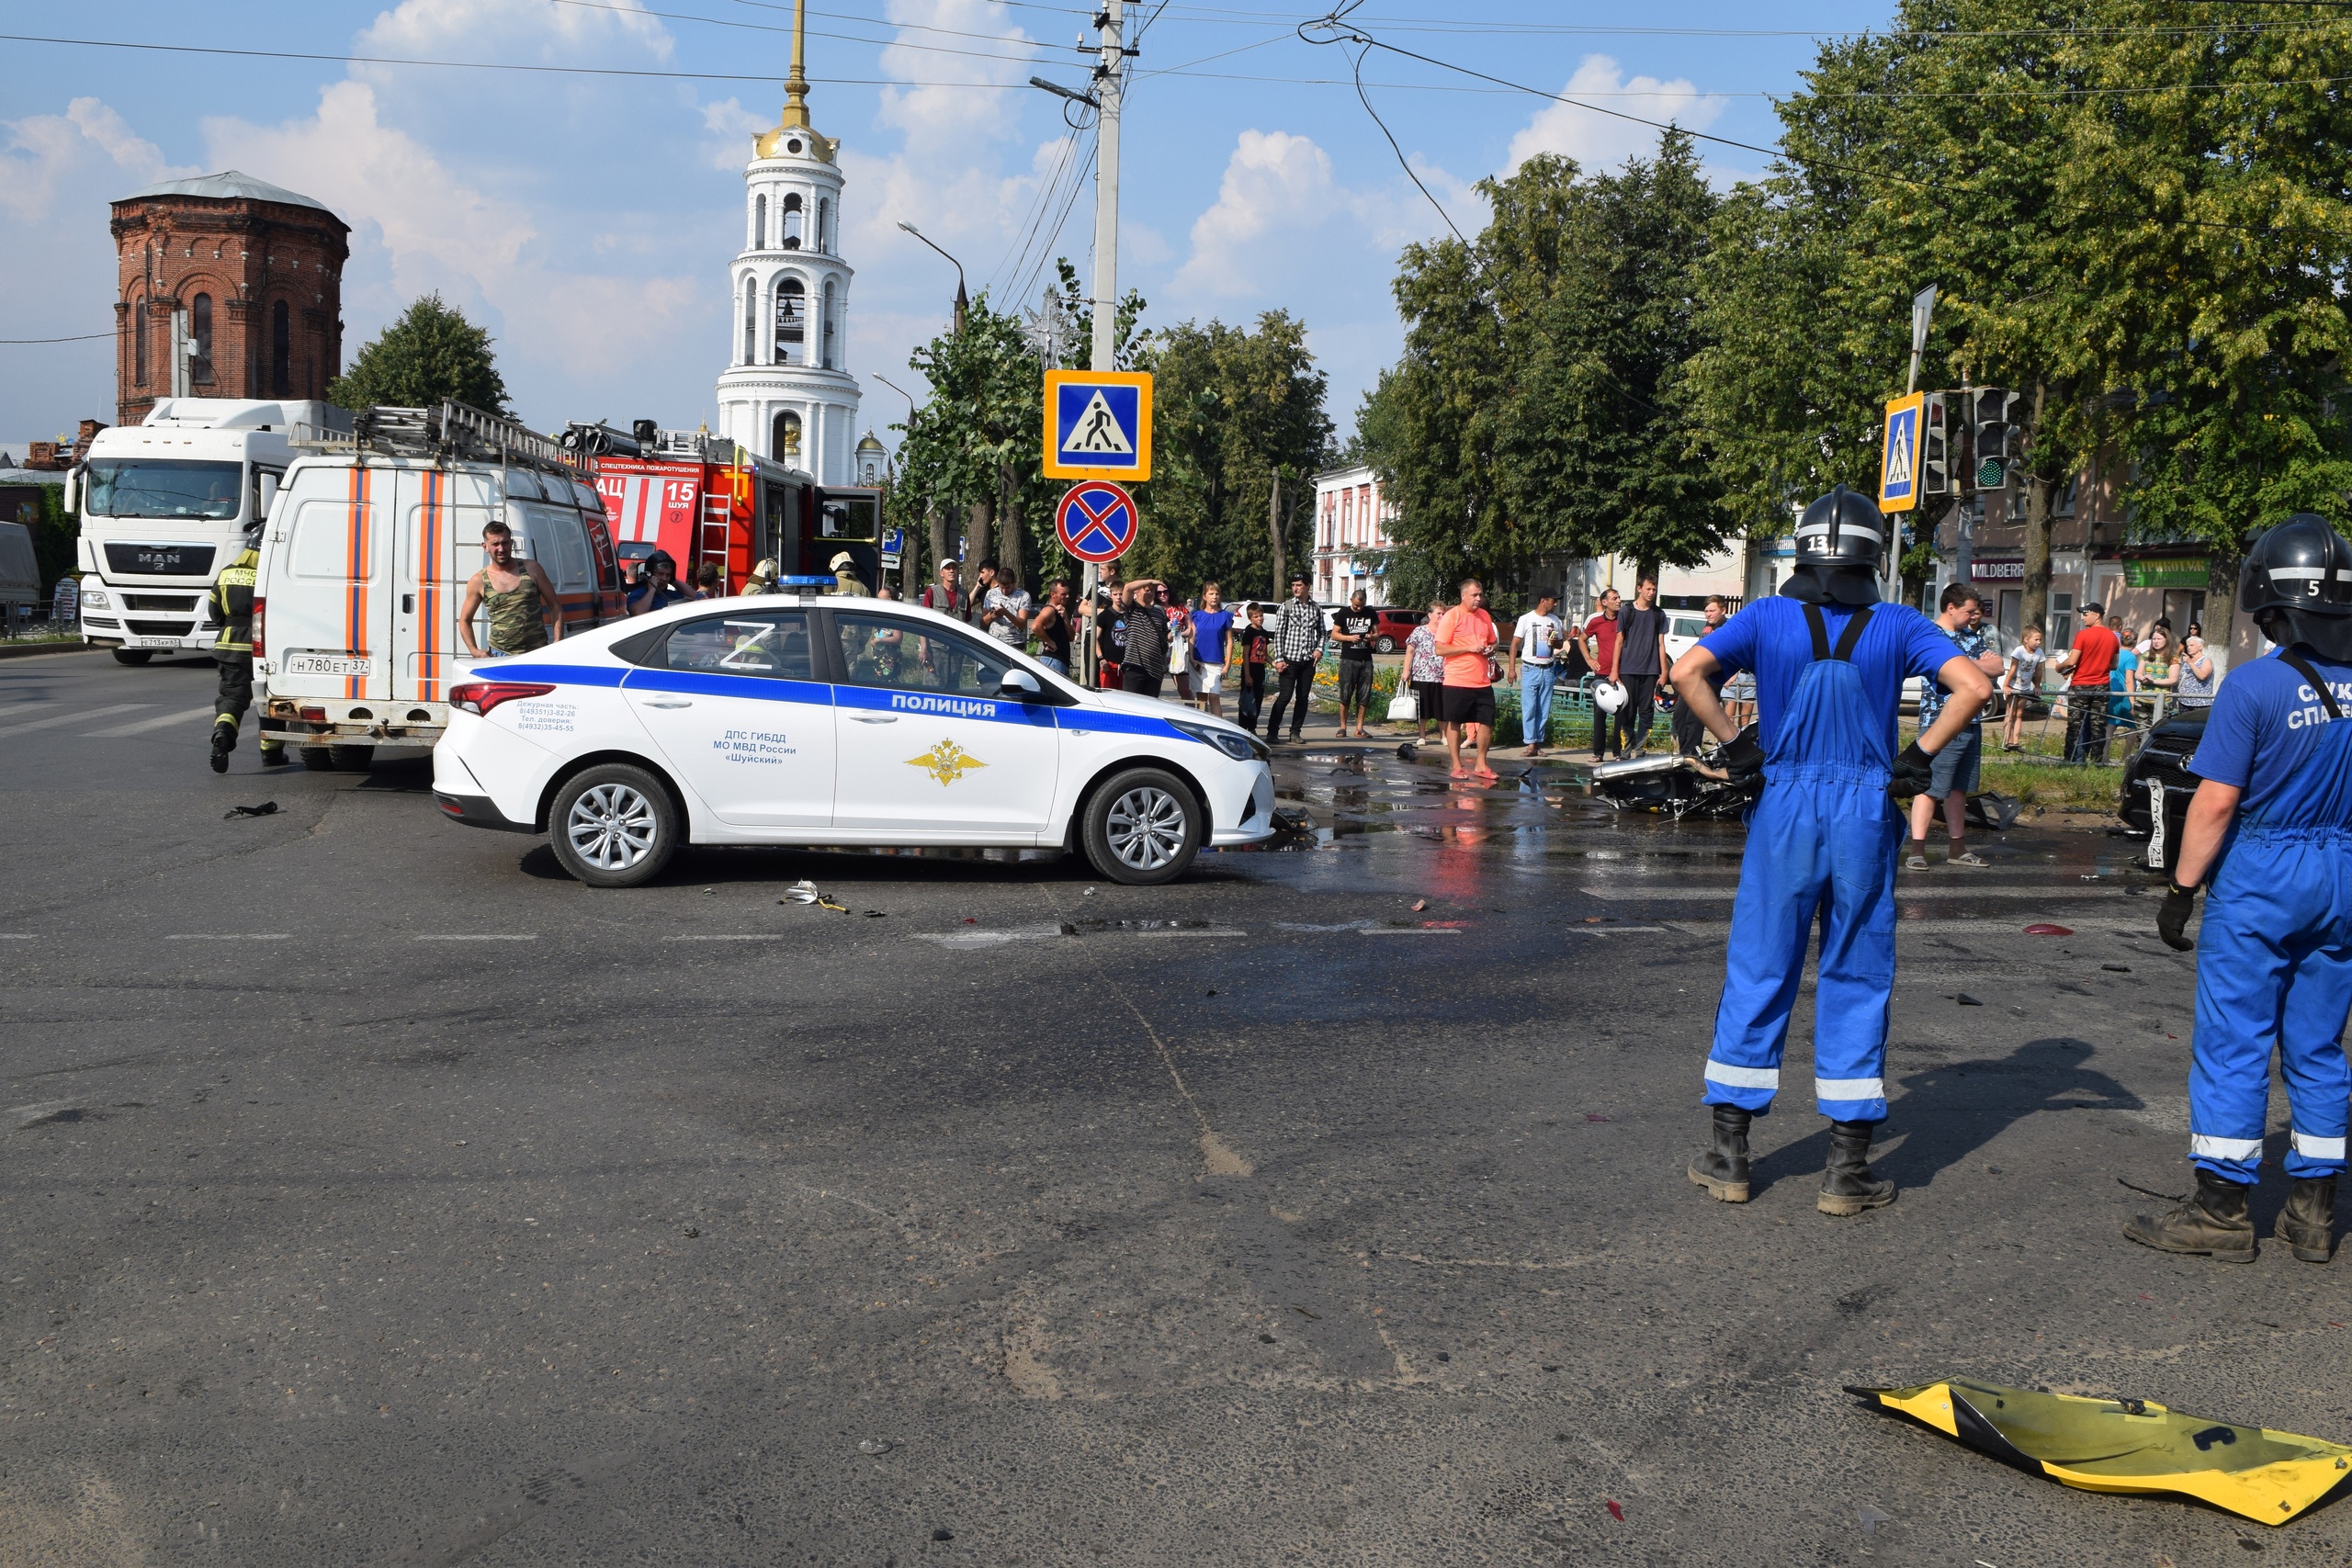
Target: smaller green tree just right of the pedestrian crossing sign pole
{"x":1238,"y":427}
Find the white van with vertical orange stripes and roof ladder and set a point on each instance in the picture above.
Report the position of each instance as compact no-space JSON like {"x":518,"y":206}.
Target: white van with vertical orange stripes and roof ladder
{"x":366,"y":563}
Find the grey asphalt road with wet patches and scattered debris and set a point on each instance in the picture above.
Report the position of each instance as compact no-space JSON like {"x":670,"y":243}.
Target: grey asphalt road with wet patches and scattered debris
{"x":377,"y":1195}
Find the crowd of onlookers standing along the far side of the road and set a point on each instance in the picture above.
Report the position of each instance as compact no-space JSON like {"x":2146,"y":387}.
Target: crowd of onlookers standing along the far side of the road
{"x":1264,"y":657}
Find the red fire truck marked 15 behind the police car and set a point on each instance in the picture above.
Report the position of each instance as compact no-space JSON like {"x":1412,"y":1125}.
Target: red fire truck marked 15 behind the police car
{"x":707,"y":502}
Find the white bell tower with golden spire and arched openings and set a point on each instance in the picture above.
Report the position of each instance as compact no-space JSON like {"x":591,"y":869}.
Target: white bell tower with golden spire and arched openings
{"x":787,"y":391}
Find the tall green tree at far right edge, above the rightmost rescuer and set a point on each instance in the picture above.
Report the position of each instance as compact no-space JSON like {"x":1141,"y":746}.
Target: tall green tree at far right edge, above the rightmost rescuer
{"x":2207,"y":199}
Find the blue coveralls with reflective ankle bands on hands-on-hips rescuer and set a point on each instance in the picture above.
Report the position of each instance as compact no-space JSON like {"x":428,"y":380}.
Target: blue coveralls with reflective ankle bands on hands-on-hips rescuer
{"x":1822,"y":840}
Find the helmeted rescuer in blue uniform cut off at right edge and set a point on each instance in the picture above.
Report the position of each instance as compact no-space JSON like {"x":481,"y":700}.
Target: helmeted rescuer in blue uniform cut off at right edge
{"x":2276,"y":951}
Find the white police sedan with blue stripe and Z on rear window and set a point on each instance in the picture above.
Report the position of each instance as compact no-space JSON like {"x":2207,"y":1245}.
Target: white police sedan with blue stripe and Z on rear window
{"x":834,"y":721}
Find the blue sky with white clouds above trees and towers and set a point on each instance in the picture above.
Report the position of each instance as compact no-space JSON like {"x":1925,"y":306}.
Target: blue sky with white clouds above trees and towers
{"x":587,"y":217}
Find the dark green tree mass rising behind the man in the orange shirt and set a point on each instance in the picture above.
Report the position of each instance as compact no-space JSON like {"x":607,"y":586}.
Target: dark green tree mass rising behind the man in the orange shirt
{"x":1544,"y":398}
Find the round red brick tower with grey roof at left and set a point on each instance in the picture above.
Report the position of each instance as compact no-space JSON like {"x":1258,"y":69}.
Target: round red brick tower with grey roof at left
{"x":236,"y":279}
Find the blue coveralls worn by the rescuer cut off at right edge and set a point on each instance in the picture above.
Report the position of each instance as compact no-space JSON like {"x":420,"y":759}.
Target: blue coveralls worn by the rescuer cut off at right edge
{"x":2276,"y":972}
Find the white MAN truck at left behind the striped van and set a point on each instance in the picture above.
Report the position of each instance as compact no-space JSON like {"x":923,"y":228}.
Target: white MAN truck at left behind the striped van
{"x":166,"y":507}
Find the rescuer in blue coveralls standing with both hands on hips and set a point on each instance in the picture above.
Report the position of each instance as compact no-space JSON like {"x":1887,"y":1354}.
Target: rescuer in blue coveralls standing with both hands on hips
{"x":1822,"y":840}
